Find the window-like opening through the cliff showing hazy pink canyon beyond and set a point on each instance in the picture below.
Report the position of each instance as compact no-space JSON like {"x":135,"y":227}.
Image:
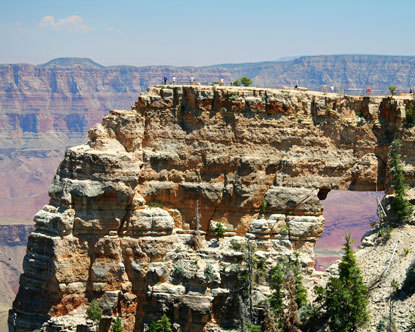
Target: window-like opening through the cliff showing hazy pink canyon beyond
{"x":344,"y":212}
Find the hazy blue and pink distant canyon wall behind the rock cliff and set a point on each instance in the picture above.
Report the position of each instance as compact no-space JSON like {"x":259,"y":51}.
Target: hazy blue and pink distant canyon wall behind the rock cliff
{"x":45,"y":109}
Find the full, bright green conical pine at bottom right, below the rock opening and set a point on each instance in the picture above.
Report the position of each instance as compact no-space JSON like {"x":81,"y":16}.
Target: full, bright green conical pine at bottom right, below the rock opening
{"x":346,"y":296}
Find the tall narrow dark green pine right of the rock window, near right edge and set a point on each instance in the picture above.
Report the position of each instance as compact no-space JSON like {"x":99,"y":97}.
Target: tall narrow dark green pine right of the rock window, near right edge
{"x":400,"y":206}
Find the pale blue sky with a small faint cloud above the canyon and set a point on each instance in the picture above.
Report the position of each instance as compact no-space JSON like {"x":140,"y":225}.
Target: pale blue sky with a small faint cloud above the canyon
{"x":201,"y":32}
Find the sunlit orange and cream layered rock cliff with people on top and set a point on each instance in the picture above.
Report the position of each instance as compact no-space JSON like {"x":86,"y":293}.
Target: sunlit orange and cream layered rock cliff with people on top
{"x":121,"y":224}
